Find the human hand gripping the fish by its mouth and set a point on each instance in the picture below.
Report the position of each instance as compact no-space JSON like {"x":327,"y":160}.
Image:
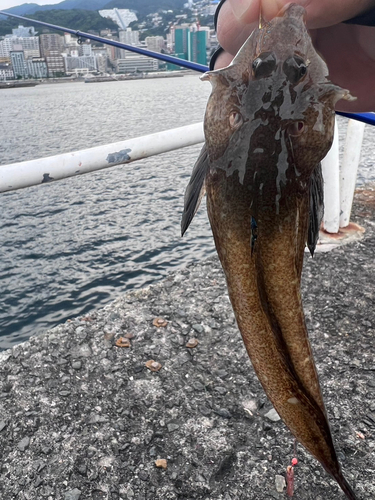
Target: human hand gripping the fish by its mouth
{"x":348,"y":49}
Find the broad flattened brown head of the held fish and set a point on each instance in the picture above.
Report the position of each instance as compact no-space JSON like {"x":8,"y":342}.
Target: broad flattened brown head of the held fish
{"x":273,"y":106}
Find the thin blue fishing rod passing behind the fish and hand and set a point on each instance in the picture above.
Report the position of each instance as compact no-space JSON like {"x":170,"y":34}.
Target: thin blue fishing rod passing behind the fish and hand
{"x":368,"y":118}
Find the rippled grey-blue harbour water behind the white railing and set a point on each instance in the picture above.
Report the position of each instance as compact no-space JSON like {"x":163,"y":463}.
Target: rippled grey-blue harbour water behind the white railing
{"x":72,"y":246}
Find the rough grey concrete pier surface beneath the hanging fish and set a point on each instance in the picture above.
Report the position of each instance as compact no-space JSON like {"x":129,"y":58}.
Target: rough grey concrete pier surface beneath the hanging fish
{"x":83,"y":417}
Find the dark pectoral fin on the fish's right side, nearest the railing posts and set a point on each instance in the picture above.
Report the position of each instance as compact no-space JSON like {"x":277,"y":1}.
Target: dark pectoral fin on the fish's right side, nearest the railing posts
{"x":316,"y":208}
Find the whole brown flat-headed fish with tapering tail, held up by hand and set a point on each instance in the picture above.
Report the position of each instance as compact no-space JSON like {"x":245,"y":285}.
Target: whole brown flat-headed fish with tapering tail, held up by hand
{"x":268,"y":124}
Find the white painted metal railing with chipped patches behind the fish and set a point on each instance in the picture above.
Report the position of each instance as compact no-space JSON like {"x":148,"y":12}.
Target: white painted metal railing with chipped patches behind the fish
{"x":339,"y":184}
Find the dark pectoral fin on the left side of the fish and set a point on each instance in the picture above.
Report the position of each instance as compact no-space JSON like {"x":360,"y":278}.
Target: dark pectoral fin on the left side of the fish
{"x":195,"y":190}
